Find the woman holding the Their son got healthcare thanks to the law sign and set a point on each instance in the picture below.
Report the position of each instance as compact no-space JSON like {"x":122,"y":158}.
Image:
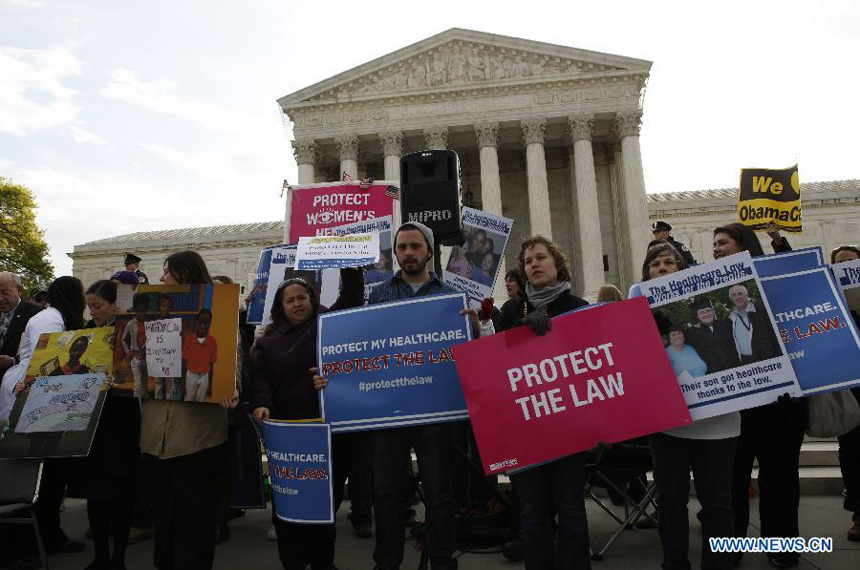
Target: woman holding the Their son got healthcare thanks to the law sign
{"x":706,"y":447}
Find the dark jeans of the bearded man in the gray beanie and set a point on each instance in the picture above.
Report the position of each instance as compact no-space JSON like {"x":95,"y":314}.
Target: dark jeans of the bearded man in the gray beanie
{"x":433,"y":445}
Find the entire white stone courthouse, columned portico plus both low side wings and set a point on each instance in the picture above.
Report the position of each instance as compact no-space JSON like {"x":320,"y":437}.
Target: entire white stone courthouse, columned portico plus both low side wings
{"x":547,"y":135}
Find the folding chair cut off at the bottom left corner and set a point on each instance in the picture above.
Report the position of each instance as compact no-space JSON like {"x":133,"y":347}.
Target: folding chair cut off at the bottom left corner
{"x":19,"y":490}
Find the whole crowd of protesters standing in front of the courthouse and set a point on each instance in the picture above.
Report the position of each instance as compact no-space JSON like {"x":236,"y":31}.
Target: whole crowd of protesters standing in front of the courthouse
{"x":161,"y":466}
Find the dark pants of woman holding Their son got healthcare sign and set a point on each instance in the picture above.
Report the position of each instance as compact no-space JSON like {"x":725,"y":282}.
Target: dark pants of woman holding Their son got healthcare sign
{"x":711,"y":462}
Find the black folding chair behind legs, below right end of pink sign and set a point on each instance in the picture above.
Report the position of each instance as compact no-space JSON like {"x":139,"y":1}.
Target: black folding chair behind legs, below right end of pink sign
{"x":623,"y":463}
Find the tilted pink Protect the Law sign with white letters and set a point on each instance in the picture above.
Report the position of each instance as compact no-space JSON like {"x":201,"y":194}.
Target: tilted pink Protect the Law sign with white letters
{"x":600,"y":375}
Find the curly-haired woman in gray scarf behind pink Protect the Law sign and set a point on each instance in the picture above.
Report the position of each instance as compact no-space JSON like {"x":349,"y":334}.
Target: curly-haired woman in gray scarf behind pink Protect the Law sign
{"x":555,"y":486}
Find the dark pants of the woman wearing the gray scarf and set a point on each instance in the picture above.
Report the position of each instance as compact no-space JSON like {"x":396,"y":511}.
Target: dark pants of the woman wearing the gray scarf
{"x":562,"y":483}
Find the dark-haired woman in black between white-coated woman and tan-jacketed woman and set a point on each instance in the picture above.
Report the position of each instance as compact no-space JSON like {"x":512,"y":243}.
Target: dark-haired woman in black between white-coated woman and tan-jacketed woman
{"x":107,"y":476}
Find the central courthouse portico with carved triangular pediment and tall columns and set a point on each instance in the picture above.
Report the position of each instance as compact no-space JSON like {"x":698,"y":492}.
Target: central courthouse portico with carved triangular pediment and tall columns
{"x":547,"y":135}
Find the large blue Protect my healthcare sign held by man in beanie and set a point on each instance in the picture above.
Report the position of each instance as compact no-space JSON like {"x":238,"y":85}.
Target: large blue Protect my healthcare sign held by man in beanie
{"x":392,"y":364}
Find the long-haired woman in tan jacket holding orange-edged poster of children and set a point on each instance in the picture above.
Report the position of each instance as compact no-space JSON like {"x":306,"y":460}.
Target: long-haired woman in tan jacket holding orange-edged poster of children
{"x":184,"y":438}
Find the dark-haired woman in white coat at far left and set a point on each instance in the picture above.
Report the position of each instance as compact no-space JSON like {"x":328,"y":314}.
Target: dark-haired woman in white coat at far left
{"x":65,"y":312}
